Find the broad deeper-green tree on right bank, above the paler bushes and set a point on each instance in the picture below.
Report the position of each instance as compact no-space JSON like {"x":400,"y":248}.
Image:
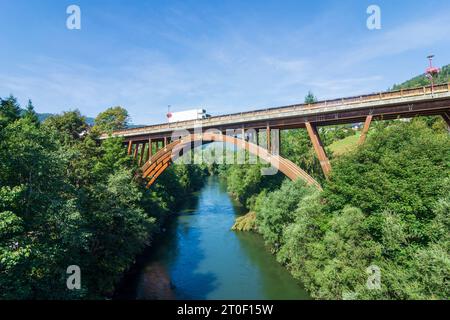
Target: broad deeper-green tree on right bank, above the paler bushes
{"x":402,"y":169}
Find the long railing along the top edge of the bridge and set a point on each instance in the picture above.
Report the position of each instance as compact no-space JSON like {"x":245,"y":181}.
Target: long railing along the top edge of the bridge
{"x":403,"y":93}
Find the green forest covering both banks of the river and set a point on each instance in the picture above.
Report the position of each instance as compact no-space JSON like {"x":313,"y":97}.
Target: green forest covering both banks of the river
{"x":67,"y":199}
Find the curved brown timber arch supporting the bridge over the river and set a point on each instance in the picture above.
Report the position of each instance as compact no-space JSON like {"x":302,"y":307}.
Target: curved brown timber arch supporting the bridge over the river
{"x":161,"y":160}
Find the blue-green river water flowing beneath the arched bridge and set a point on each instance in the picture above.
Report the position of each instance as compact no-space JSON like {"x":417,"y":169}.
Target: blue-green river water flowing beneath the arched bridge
{"x":199,"y":257}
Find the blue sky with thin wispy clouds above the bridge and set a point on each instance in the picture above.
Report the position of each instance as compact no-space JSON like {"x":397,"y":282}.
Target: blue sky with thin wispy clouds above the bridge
{"x":226,"y":56}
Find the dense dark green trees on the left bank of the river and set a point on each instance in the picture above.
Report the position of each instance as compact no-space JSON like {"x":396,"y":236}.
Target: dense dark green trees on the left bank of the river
{"x":66,"y":199}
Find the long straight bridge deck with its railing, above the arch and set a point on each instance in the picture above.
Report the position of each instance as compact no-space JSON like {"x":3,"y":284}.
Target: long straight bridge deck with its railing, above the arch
{"x":385,"y":105}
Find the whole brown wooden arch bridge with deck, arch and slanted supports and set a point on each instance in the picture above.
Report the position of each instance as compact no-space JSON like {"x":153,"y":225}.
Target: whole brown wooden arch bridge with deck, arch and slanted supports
{"x":154,"y":148}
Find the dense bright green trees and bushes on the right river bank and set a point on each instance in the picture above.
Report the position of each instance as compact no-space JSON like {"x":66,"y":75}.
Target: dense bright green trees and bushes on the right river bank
{"x":386,"y":206}
